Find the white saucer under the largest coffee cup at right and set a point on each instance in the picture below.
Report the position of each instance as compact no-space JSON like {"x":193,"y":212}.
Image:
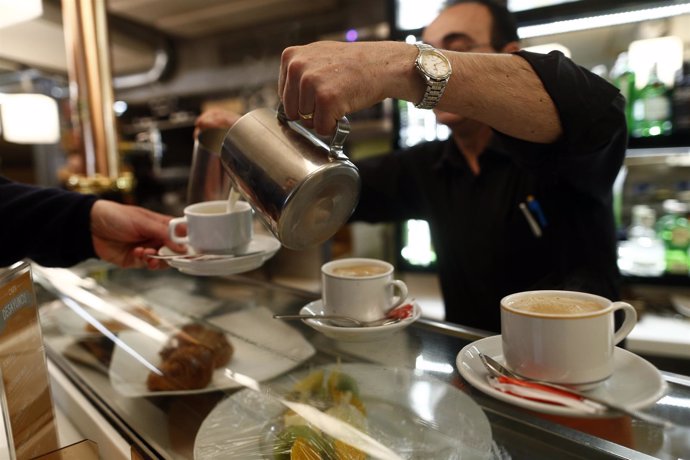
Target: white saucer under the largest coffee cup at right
{"x":635,"y":382}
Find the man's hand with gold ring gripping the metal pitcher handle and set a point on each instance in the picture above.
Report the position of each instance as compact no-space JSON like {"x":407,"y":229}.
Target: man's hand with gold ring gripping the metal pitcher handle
{"x":323,"y":81}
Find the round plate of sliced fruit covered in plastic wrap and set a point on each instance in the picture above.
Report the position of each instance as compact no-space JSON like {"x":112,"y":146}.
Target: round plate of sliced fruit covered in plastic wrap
{"x":347,"y":411}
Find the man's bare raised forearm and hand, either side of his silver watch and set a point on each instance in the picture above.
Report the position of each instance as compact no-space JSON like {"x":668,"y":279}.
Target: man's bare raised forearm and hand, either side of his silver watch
{"x":332,"y":79}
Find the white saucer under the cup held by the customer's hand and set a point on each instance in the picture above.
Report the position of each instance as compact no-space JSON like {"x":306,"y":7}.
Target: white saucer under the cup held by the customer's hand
{"x":263,"y":246}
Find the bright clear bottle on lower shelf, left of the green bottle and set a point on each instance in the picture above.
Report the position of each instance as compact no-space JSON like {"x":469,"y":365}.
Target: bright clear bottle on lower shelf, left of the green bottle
{"x":643,"y":253}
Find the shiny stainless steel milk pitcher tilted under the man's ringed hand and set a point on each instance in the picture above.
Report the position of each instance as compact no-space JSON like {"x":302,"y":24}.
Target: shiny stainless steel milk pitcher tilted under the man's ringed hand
{"x":302,"y":189}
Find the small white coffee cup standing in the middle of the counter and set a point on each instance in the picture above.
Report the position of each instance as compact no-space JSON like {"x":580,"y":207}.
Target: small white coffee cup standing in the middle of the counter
{"x":360,"y":288}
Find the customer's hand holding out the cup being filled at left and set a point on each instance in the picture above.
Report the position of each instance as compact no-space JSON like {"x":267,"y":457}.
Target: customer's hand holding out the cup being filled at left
{"x":126,"y":235}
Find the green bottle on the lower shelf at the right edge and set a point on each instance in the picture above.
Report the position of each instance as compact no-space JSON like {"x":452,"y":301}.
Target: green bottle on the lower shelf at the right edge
{"x":674,"y":230}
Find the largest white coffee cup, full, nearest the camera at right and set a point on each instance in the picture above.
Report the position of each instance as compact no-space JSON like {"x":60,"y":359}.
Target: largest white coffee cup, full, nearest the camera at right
{"x":562,"y":337}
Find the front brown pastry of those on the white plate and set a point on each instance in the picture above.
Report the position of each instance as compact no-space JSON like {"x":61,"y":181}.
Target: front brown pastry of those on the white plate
{"x":185,"y":368}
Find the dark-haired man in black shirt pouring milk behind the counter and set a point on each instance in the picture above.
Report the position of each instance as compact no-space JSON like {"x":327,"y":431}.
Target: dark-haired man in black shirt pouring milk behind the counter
{"x":556,"y":142}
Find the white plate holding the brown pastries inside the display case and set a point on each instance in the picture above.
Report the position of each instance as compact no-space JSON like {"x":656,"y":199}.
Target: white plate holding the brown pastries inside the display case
{"x":263,"y":348}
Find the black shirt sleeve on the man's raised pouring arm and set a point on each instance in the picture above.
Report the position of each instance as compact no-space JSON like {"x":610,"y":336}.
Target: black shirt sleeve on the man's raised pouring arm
{"x":590,"y":152}
